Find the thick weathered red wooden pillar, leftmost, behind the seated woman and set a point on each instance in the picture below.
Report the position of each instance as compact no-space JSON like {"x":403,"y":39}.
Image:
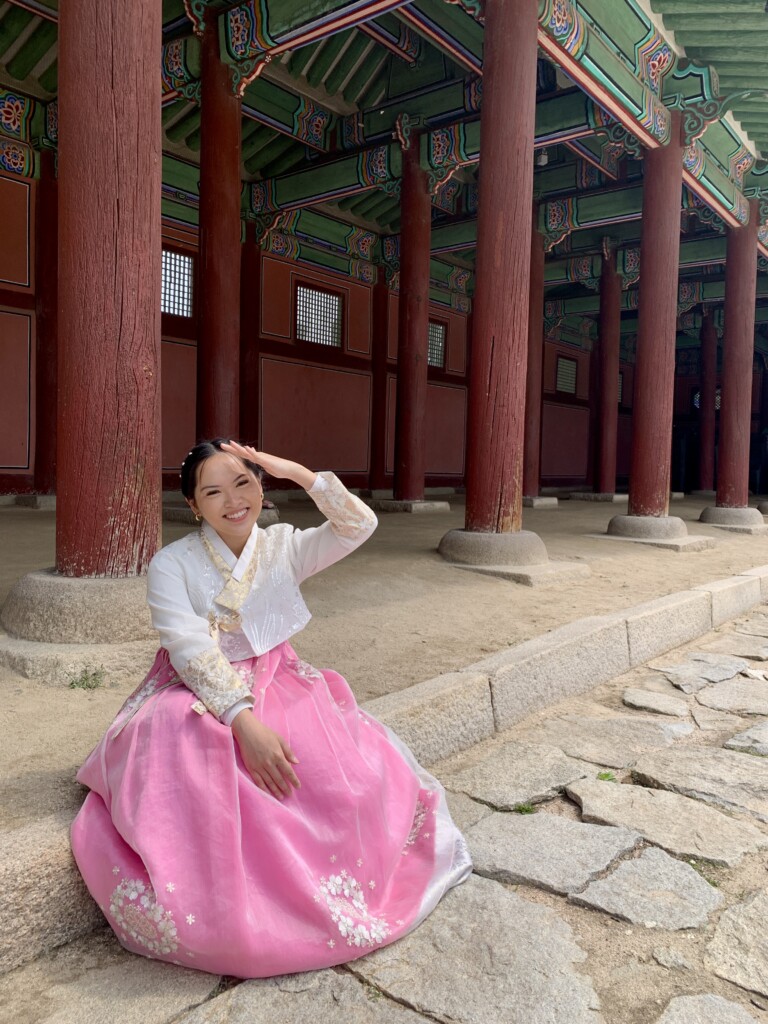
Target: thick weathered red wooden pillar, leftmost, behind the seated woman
{"x":108,"y":473}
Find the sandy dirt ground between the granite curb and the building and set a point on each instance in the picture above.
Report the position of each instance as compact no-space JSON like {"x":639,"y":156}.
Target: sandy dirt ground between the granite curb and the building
{"x":391,"y":616}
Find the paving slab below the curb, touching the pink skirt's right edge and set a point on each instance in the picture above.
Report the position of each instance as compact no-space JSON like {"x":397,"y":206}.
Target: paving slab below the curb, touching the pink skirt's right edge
{"x":517,"y":774}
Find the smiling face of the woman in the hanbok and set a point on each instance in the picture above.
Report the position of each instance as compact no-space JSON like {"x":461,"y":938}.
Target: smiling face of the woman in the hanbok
{"x":229,"y":497}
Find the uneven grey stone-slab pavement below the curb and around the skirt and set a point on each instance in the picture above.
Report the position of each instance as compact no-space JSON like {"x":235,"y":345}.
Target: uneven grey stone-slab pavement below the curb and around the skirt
{"x":621,"y":845}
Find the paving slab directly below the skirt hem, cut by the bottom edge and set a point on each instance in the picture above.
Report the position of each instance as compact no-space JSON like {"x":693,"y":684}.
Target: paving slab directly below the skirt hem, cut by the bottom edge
{"x":304,"y":999}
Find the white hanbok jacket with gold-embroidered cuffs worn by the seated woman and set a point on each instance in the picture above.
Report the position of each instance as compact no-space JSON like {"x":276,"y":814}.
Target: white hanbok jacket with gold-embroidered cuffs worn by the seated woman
{"x":212,"y":609}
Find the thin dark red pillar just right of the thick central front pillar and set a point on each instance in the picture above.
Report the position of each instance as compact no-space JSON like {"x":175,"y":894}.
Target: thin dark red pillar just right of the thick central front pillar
{"x":532,"y":470}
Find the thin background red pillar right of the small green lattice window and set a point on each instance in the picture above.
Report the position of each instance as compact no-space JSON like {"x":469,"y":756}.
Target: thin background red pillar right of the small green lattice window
{"x":610,"y":329}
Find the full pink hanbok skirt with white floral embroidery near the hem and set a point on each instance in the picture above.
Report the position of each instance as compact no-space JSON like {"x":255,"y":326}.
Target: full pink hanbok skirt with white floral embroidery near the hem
{"x":192,"y":864}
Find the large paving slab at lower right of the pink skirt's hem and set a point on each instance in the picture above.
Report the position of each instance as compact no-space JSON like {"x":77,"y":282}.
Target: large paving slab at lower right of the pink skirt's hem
{"x":474,"y":962}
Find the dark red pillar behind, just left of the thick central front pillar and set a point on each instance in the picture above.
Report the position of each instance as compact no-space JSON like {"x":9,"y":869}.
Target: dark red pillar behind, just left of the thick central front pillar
{"x":416,"y":221}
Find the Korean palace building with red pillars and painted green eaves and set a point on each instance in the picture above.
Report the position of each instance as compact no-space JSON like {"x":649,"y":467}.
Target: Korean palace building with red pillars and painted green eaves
{"x":514,"y":246}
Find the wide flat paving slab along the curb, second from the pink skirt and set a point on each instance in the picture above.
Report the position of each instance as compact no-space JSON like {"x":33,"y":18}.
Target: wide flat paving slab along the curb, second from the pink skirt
{"x":616,"y":742}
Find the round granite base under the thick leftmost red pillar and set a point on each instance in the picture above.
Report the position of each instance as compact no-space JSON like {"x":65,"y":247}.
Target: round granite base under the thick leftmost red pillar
{"x":52,"y":609}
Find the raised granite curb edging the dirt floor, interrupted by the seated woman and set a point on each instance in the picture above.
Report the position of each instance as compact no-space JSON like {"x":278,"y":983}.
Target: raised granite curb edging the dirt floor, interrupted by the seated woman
{"x":437,"y":718}
